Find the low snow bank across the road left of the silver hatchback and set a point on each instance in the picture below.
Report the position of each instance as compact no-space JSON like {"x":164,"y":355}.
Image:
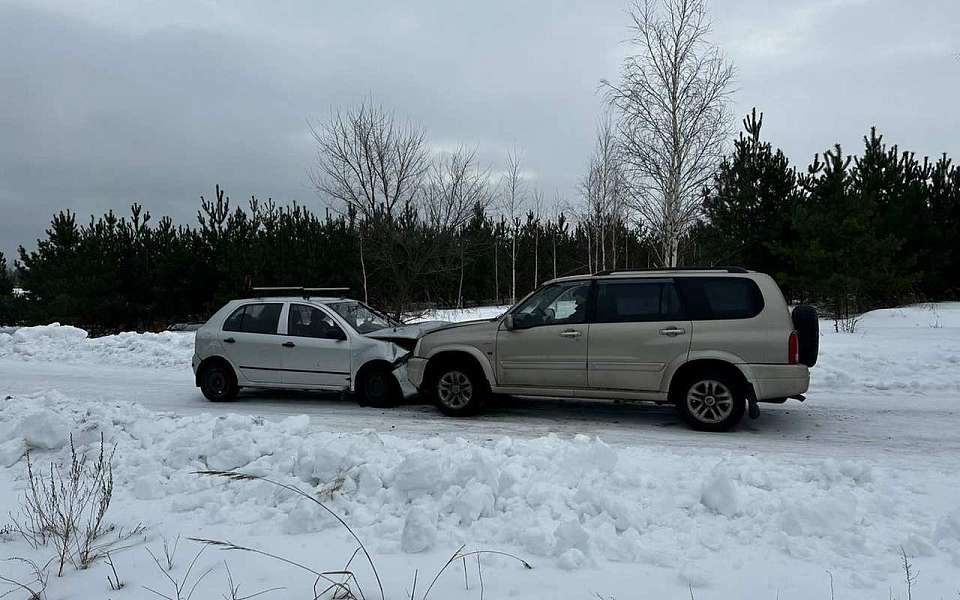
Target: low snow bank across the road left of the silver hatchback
{"x":66,"y":344}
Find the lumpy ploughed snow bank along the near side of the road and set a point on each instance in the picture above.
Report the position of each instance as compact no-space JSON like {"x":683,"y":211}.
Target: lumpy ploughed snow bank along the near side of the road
{"x":574,"y":502}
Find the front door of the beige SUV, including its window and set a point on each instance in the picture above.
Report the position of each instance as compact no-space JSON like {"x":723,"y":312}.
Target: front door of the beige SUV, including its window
{"x":547,"y":347}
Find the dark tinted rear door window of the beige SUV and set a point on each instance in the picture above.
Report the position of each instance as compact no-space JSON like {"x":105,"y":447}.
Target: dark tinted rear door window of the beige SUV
{"x":633,"y":301}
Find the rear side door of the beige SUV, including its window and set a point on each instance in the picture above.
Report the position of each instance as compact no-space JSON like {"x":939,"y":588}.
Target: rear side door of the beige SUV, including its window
{"x":637,"y":330}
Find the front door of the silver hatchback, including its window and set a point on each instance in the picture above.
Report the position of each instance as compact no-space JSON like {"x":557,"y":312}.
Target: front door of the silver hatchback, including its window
{"x":316,"y":351}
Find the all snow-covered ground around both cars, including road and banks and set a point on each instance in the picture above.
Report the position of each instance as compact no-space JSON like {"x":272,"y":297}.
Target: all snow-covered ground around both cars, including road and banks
{"x":618,"y":501}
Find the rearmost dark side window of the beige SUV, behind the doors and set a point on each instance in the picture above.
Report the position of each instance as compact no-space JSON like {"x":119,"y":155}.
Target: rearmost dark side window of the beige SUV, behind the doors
{"x":709,"y":298}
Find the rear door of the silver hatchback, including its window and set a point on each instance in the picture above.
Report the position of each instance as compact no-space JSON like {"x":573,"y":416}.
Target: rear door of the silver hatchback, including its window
{"x":250,"y":340}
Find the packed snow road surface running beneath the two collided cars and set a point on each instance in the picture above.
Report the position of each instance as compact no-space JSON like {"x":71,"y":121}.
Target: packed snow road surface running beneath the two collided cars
{"x":853,"y":423}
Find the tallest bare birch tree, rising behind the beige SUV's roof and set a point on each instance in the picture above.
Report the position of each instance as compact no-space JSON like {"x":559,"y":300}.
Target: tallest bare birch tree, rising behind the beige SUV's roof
{"x":672,"y":101}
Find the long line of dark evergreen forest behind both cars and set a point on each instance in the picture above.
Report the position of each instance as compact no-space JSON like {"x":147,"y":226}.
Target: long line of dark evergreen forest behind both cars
{"x":848,"y":233}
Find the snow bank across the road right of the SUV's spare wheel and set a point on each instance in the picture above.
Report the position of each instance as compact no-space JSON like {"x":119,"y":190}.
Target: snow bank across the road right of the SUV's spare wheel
{"x":908,"y":350}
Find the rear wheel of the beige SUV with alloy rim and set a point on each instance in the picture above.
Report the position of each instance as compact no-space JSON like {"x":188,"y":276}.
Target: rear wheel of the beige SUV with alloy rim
{"x":711,"y":400}
